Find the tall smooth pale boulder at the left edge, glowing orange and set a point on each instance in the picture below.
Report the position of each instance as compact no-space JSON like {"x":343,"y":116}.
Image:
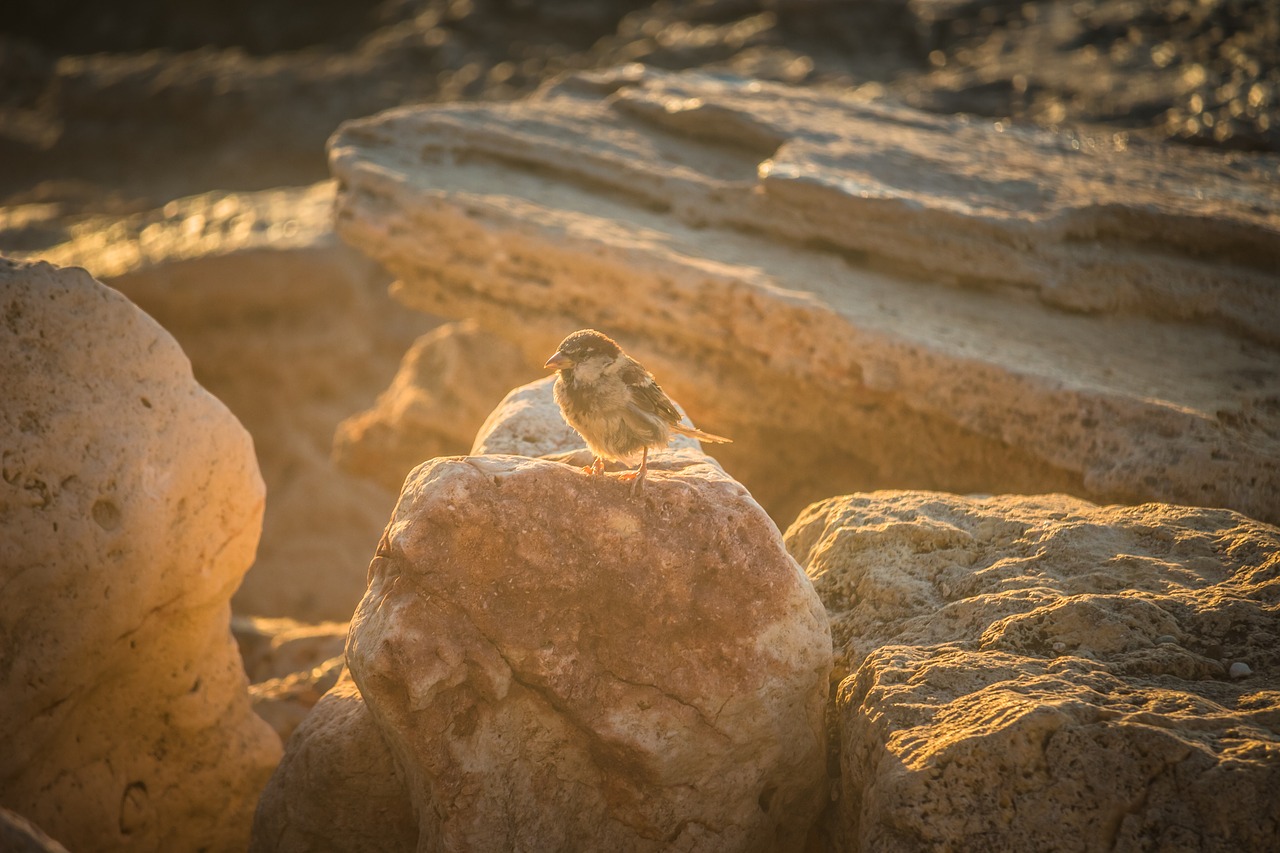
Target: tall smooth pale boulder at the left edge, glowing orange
{"x":132,"y":505}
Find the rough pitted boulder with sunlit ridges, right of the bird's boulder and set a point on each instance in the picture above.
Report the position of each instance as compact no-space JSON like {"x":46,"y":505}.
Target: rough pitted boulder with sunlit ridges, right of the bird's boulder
{"x":1007,"y":686}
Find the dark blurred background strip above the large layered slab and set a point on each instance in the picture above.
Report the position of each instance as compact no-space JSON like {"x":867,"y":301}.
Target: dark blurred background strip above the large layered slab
{"x":121,"y":106}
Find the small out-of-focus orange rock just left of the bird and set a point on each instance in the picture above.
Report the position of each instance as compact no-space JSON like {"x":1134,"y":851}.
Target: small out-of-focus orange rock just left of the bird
{"x":447,"y":384}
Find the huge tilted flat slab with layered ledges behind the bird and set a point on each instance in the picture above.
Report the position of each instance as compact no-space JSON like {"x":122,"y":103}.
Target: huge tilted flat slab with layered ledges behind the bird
{"x":862,"y":295}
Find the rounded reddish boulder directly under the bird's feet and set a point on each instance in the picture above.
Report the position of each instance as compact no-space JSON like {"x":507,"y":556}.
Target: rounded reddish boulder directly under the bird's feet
{"x":556,"y":665}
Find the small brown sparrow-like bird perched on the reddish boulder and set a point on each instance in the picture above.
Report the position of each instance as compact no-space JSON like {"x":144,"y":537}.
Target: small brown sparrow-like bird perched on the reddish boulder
{"x":615,"y":404}
